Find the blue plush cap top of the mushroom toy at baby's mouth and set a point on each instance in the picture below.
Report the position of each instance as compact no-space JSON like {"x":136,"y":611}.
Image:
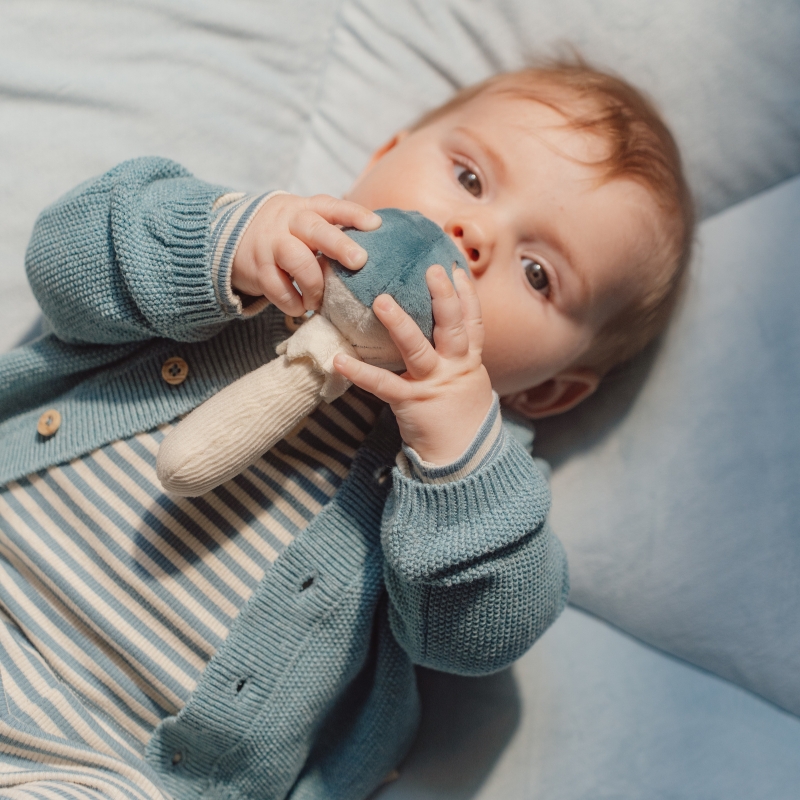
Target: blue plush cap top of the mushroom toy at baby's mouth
{"x":399,"y":254}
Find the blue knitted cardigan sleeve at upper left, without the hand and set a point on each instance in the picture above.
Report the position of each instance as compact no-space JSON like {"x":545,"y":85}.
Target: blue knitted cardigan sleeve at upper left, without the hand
{"x":127,"y":256}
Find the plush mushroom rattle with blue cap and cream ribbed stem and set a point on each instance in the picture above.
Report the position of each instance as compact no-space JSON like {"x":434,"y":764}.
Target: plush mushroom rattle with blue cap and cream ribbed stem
{"x":235,"y":427}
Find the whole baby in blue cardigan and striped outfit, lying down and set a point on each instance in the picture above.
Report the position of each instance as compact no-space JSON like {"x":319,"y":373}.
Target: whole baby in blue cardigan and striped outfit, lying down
{"x":259,"y":641}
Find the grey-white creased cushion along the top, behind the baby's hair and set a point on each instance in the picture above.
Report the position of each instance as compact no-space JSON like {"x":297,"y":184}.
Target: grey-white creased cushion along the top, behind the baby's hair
{"x":725,"y":76}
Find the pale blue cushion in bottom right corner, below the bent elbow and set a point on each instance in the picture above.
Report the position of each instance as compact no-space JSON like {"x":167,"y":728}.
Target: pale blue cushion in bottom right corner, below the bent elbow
{"x":591,"y":714}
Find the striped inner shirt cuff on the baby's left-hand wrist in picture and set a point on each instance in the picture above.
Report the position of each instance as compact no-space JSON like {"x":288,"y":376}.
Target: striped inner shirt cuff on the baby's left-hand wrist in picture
{"x":233,"y":214}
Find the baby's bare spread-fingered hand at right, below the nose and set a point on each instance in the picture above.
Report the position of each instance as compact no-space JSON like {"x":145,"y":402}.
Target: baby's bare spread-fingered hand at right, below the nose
{"x":443,"y":398}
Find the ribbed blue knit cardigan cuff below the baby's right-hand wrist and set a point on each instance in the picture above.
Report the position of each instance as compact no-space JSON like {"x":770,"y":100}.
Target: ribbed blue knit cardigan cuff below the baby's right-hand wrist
{"x":429,"y":529}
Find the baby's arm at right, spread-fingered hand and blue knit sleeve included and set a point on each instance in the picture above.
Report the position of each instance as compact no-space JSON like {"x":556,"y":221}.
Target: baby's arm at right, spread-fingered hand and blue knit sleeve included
{"x":473,"y":571}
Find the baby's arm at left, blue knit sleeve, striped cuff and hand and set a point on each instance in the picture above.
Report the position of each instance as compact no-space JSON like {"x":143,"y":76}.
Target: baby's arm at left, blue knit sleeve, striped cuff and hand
{"x":143,"y":251}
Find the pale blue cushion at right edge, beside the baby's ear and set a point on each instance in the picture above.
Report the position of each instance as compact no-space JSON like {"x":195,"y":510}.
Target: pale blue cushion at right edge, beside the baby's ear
{"x":678,"y":497}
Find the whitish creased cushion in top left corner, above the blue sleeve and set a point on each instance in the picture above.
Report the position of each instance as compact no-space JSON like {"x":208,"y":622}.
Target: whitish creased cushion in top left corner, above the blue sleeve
{"x":224,"y":88}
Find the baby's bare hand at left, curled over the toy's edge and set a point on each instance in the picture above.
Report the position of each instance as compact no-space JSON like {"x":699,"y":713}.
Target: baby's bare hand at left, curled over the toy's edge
{"x":281,"y":243}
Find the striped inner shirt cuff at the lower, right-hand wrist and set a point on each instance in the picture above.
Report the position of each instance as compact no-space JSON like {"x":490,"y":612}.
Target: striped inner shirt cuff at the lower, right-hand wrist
{"x":485,"y":447}
